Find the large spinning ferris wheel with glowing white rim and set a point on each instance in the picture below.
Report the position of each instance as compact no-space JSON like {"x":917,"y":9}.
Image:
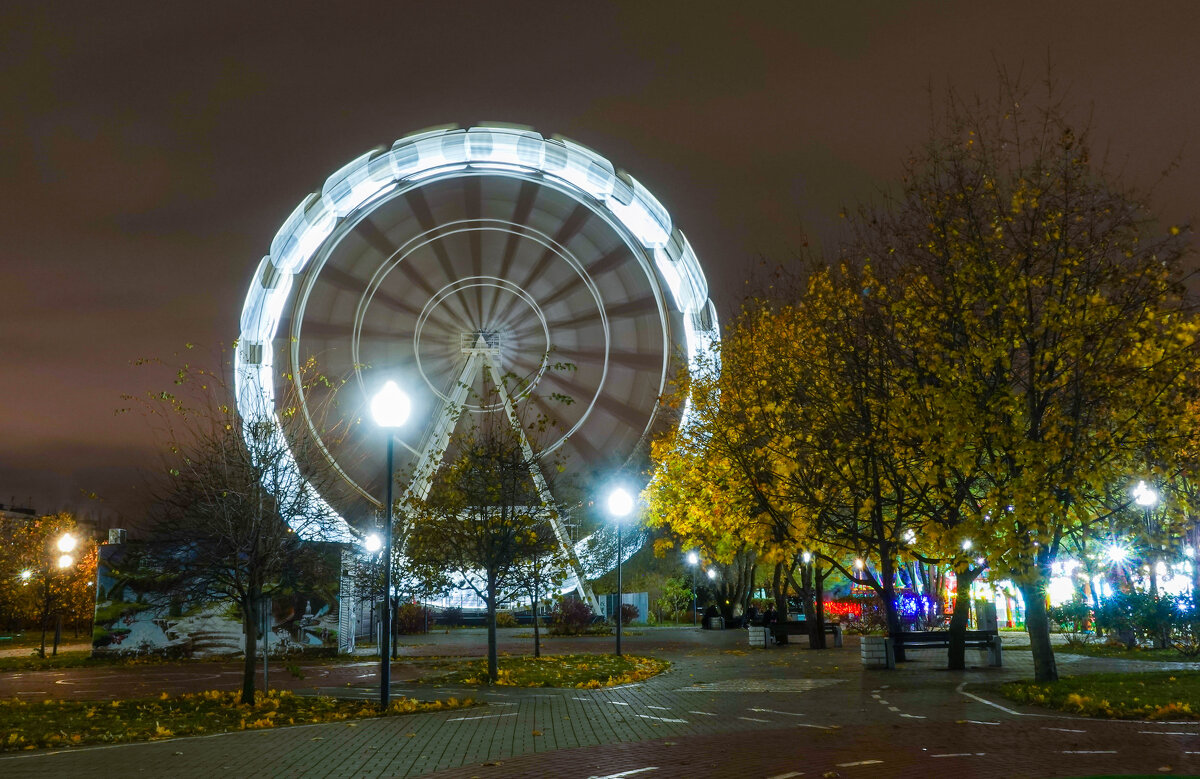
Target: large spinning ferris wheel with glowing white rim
{"x":458,"y":256}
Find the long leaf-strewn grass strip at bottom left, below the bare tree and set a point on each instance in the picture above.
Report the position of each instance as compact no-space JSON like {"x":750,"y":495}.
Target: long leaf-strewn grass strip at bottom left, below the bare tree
{"x":29,"y":726}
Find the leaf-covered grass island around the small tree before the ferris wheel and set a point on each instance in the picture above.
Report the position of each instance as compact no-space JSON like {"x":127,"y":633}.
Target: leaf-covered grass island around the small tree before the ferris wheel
{"x":585,"y":672}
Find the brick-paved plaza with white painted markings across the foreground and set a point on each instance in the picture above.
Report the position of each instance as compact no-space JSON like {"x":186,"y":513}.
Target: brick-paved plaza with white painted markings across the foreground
{"x":723,"y":710}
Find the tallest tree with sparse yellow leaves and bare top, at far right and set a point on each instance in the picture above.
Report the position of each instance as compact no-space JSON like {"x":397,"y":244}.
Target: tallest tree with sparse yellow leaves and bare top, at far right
{"x":1052,"y":323}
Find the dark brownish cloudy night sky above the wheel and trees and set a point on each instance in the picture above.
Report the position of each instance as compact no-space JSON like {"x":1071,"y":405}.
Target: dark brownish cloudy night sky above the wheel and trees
{"x":151,"y":152}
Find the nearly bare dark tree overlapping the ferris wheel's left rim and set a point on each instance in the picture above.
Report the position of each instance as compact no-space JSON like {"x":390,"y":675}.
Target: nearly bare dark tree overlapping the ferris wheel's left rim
{"x":230,"y":520}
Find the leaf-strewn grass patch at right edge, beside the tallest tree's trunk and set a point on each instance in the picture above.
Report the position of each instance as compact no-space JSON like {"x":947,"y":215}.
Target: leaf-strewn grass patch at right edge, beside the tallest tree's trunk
{"x":1151,"y":696}
